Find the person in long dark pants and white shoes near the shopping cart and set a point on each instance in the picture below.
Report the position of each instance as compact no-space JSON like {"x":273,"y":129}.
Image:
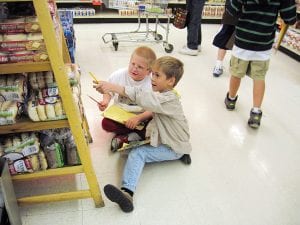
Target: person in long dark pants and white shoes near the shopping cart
{"x":194,"y":33}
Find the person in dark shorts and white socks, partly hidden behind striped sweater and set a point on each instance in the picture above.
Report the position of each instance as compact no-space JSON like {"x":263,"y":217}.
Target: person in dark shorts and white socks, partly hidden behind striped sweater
{"x":224,"y":39}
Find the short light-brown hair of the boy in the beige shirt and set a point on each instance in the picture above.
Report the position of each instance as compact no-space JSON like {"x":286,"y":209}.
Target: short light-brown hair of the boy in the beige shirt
{"x":170,"y":66}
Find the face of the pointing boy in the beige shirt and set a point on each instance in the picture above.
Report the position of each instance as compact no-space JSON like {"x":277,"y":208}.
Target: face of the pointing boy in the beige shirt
{"x":160,"y":82}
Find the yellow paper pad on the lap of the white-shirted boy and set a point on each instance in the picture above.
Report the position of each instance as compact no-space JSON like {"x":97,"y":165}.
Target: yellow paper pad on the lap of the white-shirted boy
{"x":116,"y":113}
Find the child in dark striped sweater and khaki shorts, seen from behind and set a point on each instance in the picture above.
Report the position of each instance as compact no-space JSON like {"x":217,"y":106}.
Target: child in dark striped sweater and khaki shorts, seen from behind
{"x":255,"y":33}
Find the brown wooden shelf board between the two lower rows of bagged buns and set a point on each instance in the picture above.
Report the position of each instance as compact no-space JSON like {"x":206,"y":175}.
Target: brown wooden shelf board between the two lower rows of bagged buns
{"x":26,"y":125}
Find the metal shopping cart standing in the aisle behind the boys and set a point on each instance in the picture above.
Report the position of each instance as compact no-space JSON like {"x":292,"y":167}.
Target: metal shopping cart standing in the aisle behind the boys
{"x":147,"y":9}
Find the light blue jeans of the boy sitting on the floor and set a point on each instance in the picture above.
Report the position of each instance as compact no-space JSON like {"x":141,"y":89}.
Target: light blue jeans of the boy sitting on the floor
{"x":139,"y":156}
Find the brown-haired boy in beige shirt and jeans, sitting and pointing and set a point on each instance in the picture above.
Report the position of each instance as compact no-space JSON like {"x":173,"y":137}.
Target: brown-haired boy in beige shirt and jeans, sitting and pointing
{"x":168,"y":130}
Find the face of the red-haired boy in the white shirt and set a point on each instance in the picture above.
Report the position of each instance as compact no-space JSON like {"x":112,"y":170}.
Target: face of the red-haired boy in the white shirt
{"x":138,"y":68}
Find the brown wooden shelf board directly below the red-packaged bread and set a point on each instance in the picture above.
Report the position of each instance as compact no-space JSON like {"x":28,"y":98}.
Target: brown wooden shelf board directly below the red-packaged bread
{"x":24,"y":67}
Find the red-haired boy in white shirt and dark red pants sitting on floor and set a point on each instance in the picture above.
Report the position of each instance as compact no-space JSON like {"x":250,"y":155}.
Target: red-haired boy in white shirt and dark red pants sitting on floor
{"x":138,"y":74}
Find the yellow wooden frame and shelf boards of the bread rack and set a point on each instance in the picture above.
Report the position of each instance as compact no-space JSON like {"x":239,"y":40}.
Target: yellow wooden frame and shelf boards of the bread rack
{"x":57,"y":52}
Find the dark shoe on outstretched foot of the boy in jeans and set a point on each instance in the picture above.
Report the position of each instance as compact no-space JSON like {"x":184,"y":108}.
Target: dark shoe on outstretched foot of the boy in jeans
{"x":122,"y":198}
